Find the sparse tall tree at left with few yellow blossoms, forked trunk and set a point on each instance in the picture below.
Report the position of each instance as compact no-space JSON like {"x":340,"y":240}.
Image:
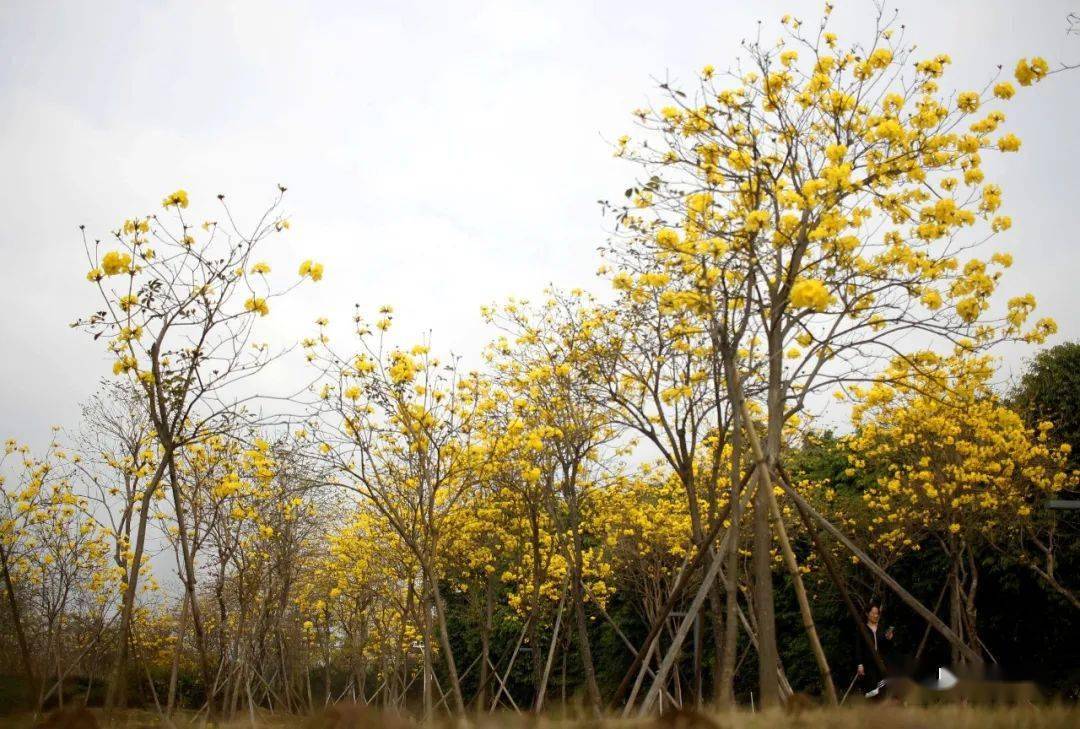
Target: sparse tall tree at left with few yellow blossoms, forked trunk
{"x":179,"y":314}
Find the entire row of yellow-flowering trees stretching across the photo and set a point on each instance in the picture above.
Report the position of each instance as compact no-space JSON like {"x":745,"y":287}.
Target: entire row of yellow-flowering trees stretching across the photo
{"x":628,"y":469}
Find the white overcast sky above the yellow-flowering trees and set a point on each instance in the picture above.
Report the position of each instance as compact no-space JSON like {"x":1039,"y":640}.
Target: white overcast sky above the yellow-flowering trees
{"x":439,"y":156}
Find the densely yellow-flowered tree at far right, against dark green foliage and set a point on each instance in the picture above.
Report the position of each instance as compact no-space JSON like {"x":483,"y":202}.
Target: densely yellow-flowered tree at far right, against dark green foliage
{"x":960,"y":468}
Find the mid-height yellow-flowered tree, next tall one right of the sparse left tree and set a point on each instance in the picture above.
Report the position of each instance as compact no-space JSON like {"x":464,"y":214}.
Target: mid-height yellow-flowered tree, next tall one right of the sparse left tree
{"x":399,"y":428}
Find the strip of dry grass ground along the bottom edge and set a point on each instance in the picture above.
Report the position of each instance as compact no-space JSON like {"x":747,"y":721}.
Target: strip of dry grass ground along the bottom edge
{"x":870,"y":718}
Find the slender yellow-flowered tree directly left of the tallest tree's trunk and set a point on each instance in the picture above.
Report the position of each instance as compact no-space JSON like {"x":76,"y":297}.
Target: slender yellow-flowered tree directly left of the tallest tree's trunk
{"x":658,"y":373}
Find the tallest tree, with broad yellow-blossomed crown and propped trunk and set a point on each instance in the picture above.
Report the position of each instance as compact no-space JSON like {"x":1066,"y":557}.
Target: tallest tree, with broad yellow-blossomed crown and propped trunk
{"x":819,"y":204}
